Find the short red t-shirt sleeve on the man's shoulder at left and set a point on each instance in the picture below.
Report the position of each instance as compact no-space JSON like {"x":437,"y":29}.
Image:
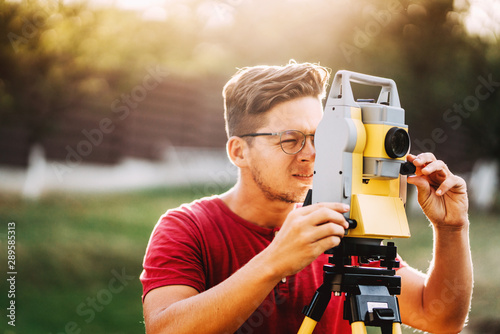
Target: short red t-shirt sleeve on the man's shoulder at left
{"x":173,"y":255}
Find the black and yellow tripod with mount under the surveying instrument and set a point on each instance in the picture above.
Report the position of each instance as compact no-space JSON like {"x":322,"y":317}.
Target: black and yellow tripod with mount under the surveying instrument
{"x":370,"y":292}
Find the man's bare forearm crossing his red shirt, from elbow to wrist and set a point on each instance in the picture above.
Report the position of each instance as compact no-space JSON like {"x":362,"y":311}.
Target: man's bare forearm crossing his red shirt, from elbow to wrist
{"x":224,"y":307}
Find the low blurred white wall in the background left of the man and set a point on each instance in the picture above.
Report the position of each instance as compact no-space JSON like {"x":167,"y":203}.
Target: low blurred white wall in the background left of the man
{"x":180,"y":166}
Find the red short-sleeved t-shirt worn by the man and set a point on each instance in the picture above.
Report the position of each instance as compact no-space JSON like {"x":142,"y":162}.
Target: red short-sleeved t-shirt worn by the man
{"x":203,"y":243}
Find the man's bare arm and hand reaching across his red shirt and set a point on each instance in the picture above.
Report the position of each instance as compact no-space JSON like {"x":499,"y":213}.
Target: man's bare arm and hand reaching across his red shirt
{"x":306,"y":233}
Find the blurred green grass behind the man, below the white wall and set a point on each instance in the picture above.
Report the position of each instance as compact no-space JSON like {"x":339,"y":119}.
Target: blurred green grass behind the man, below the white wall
{"x":71,"y":249}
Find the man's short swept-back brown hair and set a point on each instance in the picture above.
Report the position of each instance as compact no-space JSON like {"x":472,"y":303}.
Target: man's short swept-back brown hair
{"x":254,"y":90}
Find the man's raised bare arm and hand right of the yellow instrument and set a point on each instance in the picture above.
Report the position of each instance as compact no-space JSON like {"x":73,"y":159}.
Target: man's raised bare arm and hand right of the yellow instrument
{"x":439,"y":301}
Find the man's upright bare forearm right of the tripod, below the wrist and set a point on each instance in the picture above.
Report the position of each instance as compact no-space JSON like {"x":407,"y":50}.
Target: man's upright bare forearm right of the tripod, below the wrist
{"x":448,"y":289}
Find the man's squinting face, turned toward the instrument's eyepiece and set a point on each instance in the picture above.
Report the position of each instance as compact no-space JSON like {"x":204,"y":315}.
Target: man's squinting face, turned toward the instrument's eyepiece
{"x":280,"y":176}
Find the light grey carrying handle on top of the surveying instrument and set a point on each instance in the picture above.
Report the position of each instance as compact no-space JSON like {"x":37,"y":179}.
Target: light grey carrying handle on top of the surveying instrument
{"x":341,"y":88}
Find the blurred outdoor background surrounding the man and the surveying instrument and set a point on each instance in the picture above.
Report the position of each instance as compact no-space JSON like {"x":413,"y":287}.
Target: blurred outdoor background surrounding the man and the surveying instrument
{"x":111,"y":113}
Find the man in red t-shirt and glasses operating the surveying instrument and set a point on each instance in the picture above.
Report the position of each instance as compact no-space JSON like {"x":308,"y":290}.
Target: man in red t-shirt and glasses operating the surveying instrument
{"x":248,"y":260}
